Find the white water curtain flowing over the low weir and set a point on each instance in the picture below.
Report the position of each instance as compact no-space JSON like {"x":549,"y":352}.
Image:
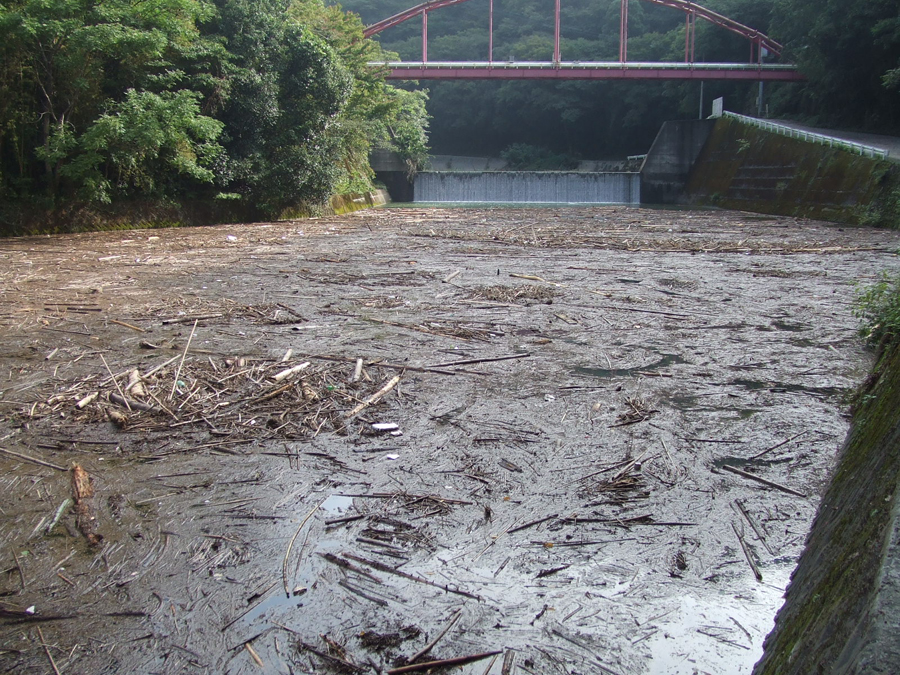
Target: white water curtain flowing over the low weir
{"x":545,"y":187}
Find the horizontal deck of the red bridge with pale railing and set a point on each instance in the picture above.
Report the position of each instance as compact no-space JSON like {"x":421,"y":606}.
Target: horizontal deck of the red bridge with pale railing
{"x":588,"y":70}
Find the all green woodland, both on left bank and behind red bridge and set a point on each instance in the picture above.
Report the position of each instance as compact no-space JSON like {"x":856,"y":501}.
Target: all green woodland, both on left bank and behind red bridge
{"x":268,"y":104}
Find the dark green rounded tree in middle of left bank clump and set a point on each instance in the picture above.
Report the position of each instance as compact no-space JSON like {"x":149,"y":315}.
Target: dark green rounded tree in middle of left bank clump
{"x":286,"y":88}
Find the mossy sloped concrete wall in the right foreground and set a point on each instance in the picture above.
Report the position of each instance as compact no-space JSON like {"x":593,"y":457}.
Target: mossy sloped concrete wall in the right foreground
{"x":842,"y":608}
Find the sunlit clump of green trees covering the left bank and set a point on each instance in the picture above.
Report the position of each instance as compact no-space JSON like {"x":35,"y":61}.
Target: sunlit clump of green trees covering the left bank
{"x":270,"y":103}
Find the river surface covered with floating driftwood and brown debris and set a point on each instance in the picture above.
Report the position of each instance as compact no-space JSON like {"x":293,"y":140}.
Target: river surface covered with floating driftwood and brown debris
{"x":555,"y":487}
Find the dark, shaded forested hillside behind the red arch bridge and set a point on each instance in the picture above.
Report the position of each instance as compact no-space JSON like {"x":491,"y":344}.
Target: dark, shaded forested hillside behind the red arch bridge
{"x":850,"y":51}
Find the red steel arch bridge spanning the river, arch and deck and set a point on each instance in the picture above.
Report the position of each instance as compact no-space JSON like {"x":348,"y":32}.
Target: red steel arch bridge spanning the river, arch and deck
{"x":623,"y":69}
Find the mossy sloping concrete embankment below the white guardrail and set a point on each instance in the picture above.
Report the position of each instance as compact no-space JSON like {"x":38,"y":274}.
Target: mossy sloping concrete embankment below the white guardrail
{"x":744,"y":167}
